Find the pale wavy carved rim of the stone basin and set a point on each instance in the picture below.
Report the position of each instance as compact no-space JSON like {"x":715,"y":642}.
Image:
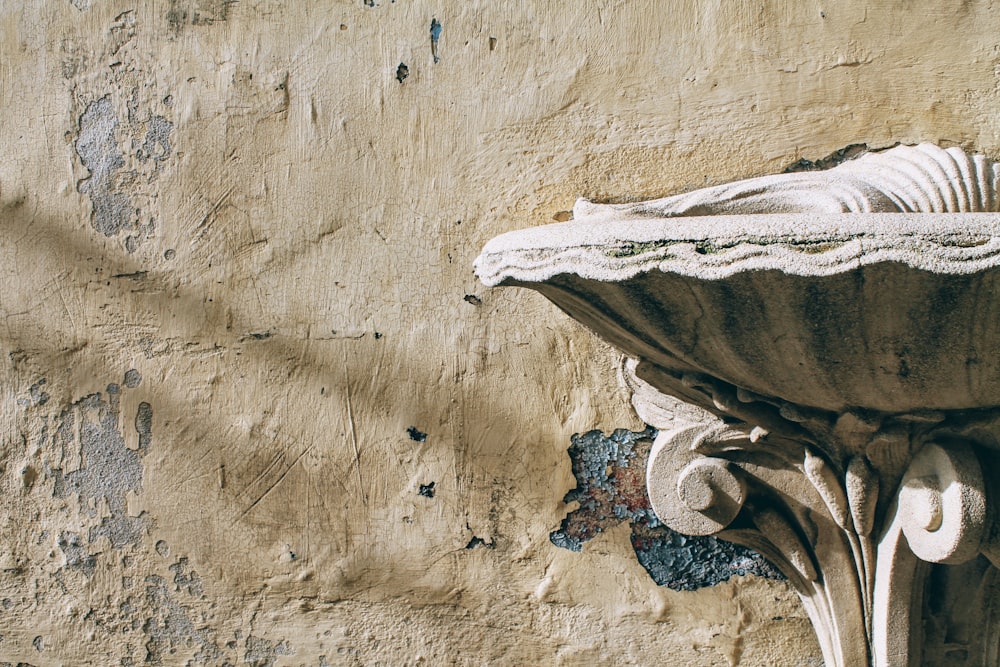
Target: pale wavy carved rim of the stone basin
{"x":609,"y":246}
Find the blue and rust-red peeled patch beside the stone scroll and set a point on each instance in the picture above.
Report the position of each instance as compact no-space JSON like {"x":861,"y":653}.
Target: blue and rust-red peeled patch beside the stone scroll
{"x":610,"y":473}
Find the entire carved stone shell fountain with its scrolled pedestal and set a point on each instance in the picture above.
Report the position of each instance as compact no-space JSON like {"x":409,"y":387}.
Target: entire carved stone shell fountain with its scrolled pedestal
{"x":838,"y":334}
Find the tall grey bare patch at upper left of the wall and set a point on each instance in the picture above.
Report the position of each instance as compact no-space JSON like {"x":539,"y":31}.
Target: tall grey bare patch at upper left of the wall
{"x":97,"y":146}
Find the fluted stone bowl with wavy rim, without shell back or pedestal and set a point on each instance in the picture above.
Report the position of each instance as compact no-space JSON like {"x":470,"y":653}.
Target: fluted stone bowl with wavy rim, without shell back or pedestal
{"x":895,"y":312}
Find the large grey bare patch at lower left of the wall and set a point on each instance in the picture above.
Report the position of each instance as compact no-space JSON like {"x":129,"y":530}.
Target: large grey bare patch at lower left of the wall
{"x":109,"y":468}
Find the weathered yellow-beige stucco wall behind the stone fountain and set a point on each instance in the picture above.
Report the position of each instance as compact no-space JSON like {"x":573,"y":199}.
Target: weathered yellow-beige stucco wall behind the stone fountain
{"x":256,"y":407}
